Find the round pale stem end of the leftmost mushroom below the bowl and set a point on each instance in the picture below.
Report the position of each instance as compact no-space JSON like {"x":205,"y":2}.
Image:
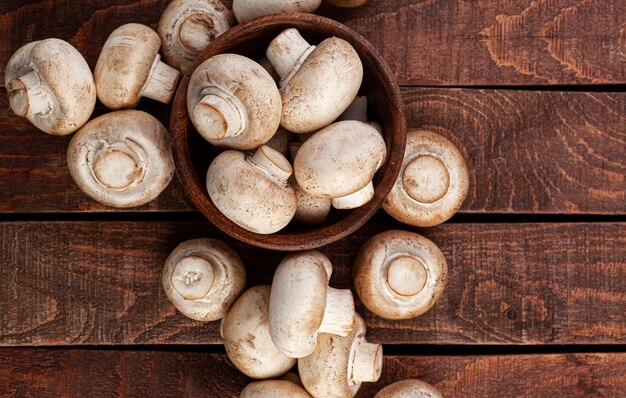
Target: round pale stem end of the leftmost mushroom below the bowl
{"x":193,"y":277}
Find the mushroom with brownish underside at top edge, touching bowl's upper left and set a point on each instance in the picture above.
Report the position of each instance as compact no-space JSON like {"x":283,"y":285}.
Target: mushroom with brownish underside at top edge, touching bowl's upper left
{"x":186,"y":27}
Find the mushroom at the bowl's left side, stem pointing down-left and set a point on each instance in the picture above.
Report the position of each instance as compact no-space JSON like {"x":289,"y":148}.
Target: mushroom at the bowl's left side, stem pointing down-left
{"x":233,"y":102}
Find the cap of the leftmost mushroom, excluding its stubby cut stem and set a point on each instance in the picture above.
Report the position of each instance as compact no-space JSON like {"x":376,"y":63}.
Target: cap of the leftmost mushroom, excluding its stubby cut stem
{"x":66,"y":79}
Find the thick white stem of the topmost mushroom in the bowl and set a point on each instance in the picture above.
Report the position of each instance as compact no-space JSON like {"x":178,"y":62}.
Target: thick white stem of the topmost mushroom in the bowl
{"x":287,"y":52}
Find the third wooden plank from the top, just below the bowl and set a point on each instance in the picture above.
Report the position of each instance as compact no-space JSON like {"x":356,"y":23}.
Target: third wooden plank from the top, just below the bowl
{"x":74,"y":283}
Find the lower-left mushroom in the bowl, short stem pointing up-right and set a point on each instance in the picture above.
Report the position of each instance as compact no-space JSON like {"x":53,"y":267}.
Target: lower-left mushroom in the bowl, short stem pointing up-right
{"x":253,"y":192}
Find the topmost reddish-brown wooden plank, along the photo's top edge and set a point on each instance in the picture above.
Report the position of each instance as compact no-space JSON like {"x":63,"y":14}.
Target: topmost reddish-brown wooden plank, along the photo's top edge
{"x":447,"y":42}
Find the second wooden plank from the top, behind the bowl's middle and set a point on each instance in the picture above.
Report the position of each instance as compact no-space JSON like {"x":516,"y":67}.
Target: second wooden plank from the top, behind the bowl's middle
{"x":529,"y":152}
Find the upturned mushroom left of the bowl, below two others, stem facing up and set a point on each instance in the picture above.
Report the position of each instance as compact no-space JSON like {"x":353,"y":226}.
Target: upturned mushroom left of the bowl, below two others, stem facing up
{"x":121,"y":159}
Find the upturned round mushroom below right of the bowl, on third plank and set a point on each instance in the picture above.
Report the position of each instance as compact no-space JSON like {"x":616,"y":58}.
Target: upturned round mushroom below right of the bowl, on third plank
{"x":399,"y":274}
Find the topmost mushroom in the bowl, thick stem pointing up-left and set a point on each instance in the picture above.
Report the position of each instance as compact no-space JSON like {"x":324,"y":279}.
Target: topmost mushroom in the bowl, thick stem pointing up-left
{"x":318,"y":83}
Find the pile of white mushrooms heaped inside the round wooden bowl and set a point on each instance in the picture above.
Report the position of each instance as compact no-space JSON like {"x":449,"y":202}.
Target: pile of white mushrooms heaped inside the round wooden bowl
{"x":235,"y":103}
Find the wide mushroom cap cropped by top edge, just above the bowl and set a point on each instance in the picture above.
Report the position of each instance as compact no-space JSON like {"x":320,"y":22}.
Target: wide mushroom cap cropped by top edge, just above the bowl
{"x":248,"y":9}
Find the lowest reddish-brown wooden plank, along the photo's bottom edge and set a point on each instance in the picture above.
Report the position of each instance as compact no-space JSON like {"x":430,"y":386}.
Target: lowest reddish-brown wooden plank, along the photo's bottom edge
{"x":80,"y":373}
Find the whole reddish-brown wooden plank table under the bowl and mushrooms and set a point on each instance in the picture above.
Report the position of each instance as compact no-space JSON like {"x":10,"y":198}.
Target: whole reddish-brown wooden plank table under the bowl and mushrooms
{"x":531,"y":91}
